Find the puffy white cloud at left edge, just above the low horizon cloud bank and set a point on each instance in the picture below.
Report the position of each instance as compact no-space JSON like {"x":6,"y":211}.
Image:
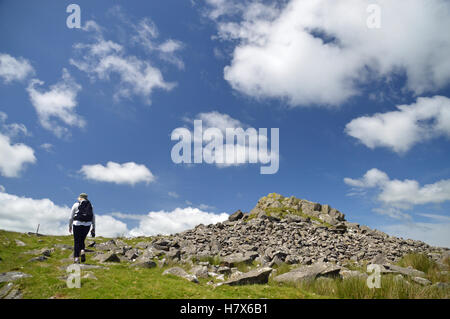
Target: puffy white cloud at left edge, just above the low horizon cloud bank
{"x":14,"y":157}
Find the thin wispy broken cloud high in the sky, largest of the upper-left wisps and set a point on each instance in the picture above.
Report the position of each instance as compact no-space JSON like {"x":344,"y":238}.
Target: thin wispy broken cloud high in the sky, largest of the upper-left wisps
{"x":103,"y":58}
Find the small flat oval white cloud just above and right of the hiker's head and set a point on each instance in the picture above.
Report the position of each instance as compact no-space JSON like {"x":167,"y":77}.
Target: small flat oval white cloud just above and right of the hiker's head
{"x":127,"y":173}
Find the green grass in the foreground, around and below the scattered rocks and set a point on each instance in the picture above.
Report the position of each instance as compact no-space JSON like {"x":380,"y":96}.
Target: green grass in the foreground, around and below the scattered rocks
{"x":121,"y":281}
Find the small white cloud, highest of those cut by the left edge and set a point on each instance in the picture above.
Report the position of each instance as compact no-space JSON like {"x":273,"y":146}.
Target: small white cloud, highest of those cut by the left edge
{"x":12,"y":69}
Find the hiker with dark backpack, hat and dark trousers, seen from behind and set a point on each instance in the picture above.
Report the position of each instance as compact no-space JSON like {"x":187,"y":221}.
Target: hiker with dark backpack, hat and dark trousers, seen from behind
{"x":82,"y":218}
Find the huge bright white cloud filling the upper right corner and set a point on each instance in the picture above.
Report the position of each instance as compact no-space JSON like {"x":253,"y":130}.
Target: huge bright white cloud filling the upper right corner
{"x":323,"y":53}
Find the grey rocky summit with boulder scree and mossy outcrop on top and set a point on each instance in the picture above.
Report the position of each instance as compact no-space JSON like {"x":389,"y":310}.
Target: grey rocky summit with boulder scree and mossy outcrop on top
{"x":293,"y":231}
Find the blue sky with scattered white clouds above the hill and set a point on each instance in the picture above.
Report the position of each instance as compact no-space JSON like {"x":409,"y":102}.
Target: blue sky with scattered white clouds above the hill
{"x":364,"y":119}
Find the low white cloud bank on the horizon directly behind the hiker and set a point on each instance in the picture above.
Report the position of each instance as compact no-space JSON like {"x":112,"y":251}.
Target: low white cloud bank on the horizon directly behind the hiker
{"x":24,"y":214}
